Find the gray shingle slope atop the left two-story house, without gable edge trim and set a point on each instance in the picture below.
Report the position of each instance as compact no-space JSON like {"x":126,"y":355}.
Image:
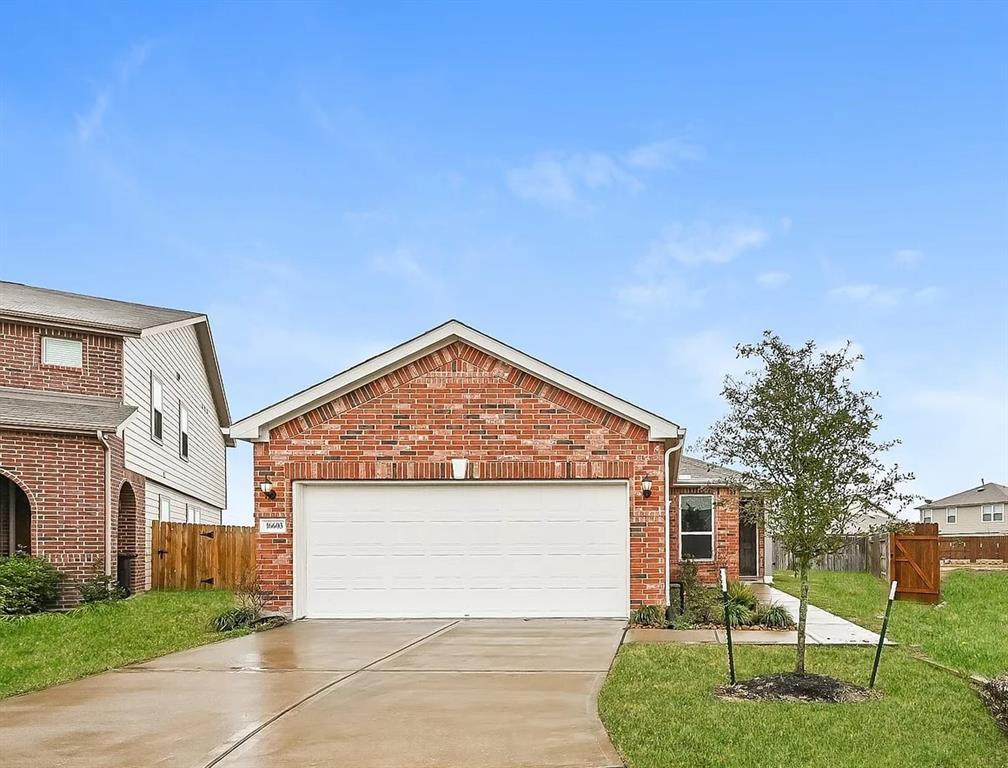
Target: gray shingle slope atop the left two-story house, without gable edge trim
{"x":46,"y":305}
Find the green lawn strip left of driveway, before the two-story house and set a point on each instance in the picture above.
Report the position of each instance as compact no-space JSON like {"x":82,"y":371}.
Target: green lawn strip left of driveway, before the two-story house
{"x":46,"y":650}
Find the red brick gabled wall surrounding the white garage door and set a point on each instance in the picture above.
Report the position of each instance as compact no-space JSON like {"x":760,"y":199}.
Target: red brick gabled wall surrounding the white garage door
{"x":460,"y":402}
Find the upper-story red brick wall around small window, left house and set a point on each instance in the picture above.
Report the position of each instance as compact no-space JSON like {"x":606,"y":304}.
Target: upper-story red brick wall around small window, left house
{"x":22,"y":362}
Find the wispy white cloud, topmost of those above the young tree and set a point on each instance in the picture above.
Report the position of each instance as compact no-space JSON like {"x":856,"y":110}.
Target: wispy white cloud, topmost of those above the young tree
{"x":563,"y":180}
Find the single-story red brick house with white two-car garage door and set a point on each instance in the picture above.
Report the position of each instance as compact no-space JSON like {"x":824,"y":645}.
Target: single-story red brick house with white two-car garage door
{"x":457,"y":476}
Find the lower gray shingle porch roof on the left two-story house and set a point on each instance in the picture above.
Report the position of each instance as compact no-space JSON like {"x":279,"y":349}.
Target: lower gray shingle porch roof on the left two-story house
{"x":60,"y":412}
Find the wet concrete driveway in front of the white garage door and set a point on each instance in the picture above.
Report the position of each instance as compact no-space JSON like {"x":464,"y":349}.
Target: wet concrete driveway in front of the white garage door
{"x":367,"y":694}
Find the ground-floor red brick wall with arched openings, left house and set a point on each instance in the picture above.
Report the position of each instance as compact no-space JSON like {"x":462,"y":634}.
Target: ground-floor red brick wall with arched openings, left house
{"x":64,"y":477}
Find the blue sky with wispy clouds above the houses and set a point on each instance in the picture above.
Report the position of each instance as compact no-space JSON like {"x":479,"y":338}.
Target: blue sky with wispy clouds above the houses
{"x":623,"y":191}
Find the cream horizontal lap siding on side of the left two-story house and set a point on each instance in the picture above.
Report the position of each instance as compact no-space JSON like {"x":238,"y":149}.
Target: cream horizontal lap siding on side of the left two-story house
{"x":174,"y":357}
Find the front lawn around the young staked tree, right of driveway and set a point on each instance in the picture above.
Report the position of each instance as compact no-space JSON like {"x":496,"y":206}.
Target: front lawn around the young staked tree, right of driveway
{"x":660,"y":710}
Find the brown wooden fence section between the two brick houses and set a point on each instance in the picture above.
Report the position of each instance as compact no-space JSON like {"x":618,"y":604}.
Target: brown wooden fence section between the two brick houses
{"x":189,"y":556}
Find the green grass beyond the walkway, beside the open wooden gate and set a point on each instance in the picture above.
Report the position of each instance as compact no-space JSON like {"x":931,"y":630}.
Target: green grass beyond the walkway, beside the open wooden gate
{"x":966,"y":631}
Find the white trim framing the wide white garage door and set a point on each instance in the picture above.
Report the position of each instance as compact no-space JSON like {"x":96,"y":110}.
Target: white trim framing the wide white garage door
{"x":300,"y":545}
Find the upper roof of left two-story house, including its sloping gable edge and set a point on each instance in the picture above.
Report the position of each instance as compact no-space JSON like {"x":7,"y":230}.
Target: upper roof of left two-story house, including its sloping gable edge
{"x":77,"y":312}
